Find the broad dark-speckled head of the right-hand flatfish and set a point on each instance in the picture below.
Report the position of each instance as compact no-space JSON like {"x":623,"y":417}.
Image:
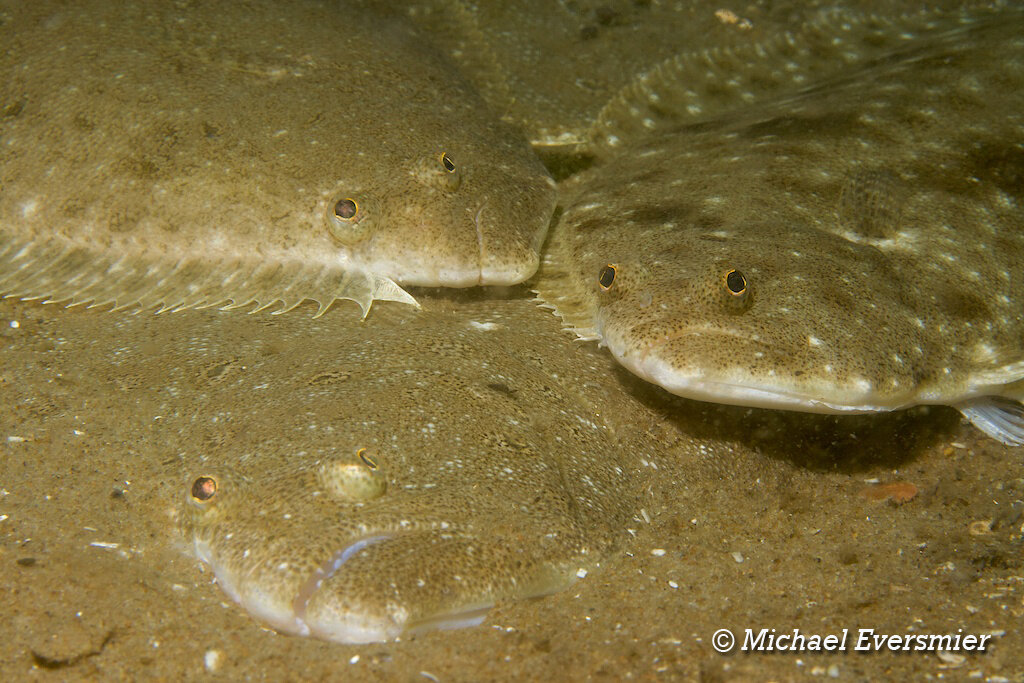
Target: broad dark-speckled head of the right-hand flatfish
{"x":788,"y":321}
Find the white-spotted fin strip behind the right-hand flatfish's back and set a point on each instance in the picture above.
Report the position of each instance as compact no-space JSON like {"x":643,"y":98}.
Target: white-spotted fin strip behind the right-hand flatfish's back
{"x":698,"y":87}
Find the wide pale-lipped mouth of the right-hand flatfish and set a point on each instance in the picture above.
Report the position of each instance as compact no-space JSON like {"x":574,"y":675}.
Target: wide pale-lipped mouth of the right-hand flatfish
{"x":735,"y":389}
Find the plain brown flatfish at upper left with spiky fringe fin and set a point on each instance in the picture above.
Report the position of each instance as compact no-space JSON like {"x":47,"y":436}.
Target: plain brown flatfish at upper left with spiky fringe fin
{"x":183,"y":155}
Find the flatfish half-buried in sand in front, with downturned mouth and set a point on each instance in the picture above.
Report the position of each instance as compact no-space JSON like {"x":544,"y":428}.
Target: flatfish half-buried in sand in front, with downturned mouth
{"x":412,"y":476}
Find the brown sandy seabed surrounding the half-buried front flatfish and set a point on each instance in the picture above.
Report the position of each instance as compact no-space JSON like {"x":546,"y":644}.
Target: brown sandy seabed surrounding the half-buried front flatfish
{"x":99,"y":584}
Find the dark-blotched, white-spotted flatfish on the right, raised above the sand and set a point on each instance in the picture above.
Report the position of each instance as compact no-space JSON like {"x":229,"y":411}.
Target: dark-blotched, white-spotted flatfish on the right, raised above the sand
{"x":857,"y":248}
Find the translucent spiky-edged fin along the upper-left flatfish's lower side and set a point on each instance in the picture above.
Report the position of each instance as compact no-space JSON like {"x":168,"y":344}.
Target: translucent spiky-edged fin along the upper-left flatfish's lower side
{"x":74,"y":275}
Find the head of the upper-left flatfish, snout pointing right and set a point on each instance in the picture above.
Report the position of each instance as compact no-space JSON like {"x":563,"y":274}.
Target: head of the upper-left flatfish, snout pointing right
{"x":467,"y":214}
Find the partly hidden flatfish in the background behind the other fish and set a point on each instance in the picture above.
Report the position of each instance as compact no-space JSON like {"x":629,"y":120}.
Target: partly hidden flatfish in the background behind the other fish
{"x":589,"y":76}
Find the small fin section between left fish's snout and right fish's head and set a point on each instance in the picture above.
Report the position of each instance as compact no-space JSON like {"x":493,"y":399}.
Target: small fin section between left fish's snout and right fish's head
{"x":560,"y":289}
